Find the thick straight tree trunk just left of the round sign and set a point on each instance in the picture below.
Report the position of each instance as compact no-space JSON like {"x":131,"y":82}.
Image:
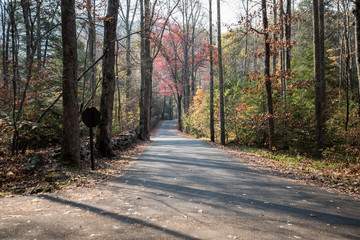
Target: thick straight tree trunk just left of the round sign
{"x":71,"y":132}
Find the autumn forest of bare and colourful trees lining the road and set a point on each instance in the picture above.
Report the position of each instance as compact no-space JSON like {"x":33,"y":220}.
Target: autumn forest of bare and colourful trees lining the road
{"x":283,"y":77}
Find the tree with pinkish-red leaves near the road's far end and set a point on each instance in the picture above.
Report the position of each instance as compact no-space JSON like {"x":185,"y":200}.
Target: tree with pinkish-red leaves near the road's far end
{"x":169,"y":65}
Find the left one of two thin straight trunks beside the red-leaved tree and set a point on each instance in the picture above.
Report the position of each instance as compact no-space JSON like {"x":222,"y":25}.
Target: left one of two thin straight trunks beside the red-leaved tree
{"x":212,"y":129}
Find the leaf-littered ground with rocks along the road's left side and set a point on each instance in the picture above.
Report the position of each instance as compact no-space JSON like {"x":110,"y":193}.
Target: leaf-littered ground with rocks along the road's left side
{"x":54,"y":175}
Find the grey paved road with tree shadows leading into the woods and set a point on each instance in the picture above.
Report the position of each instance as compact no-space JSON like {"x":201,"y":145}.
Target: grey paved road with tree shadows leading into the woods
{"x":185,"y":189}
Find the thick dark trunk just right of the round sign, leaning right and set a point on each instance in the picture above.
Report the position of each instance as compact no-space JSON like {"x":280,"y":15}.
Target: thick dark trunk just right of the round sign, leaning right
{"x":103,"y":140}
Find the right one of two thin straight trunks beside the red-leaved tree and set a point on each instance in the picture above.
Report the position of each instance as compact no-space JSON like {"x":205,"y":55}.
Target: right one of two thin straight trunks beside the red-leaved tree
{"x":221,"y":79}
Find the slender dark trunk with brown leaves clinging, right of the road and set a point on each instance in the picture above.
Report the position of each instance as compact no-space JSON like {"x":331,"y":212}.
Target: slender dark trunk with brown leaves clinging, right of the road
{"x":268,"y":80}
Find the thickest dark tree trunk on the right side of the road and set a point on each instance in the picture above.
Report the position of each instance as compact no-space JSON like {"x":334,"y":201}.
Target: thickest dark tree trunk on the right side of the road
{"x":319,"y":74}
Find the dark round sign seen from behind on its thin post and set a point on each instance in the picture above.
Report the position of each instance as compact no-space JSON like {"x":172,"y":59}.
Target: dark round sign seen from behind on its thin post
{"x":91,"y":118}
